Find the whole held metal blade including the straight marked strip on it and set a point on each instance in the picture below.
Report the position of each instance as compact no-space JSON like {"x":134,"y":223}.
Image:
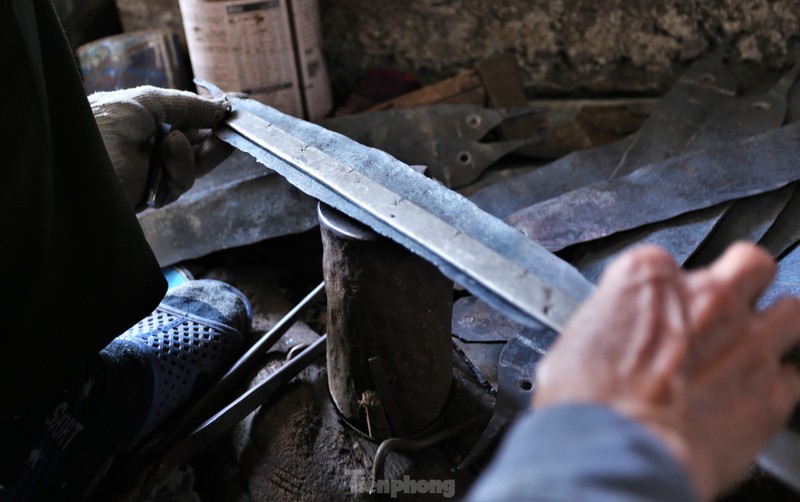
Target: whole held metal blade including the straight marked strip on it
{"x":487,"y":257}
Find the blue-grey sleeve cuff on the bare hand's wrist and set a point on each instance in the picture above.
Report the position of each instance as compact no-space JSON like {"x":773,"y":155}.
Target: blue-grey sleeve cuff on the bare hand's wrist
{"x":582,"y":452}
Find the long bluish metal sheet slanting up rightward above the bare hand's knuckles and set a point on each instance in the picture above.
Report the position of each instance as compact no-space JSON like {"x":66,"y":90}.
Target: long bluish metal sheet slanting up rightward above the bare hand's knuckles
{"x":660,"y":191}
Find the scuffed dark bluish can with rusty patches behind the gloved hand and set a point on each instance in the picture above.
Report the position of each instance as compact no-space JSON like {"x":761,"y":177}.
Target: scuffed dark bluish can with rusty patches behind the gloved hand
{"x":147,"y":57}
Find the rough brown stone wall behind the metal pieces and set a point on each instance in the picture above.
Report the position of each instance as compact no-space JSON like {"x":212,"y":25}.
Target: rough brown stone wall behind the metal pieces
{"x":563,"y":46}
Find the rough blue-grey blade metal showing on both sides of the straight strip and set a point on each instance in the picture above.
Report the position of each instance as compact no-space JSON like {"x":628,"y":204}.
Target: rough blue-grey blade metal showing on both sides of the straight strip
{"x":426,"y":193}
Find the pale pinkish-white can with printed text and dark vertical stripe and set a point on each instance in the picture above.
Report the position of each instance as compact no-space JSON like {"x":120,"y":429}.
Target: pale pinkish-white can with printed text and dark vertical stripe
{"x":268,"y":49}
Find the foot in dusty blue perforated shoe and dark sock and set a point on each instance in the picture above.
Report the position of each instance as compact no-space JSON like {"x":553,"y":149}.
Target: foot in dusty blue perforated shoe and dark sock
{"x":136,"y":383}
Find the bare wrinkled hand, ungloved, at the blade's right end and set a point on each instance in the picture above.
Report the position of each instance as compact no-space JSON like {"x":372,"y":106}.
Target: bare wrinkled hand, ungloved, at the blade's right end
{"x":685,"y":354}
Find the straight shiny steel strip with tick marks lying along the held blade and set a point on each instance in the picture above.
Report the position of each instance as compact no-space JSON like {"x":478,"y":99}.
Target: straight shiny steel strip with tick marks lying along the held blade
{"x":502,"y":277}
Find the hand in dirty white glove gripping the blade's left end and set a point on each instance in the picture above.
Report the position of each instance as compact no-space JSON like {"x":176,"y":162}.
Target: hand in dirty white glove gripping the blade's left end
{"x":129,"y":120}
